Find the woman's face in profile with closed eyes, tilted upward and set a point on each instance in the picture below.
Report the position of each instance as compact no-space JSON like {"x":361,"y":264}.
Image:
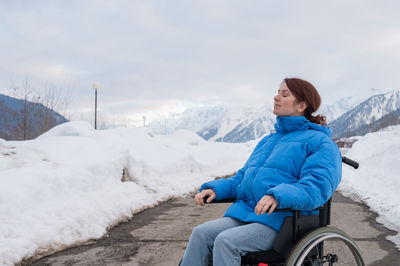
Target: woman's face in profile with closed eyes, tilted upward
{"x":285,"y":103}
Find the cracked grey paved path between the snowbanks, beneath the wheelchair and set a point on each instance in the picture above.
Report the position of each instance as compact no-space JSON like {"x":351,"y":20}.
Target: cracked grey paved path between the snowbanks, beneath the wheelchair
{"x":158,"y":236}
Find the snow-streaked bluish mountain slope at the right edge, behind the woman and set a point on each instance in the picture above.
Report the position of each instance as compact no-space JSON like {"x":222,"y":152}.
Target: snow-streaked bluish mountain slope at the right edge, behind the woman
{"x":371,"y":115}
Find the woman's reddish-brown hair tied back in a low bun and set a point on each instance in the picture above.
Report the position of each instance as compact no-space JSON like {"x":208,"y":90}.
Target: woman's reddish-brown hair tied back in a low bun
{"x":304,"y":91}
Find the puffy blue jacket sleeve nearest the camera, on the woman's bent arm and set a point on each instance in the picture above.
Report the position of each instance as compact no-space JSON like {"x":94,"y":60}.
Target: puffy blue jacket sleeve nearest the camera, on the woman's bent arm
{"x":319,"y":177}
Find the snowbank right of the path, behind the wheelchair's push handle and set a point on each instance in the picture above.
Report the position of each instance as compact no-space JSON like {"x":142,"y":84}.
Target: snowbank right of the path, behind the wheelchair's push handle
{"x":377,"y":181}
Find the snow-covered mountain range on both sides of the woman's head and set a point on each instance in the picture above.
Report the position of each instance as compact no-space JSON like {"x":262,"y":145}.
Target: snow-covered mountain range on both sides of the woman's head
{"x":347,"y":117}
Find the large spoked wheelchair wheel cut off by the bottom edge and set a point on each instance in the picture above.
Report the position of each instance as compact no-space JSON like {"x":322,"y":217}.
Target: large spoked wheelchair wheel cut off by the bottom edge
{"x":325,"y":246}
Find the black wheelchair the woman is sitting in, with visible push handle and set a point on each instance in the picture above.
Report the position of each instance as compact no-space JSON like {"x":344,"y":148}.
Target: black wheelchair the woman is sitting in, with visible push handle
{"x":307,"y":240}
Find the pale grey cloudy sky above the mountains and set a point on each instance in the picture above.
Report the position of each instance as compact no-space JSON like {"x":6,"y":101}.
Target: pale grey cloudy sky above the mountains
{"x":153,"y":57}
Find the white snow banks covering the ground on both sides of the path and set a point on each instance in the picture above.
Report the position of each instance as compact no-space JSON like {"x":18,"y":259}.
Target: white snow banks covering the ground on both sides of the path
{"x":65,"y":187}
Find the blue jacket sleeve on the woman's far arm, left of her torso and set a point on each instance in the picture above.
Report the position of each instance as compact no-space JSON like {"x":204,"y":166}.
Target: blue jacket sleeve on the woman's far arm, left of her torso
{"x":227,"y":187}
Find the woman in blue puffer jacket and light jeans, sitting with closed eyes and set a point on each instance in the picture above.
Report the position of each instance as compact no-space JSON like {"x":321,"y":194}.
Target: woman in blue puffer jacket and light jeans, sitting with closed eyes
{"x":298,"y":167}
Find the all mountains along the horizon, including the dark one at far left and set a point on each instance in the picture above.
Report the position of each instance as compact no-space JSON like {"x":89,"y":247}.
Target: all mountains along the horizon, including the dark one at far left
{"x":21,"y":119}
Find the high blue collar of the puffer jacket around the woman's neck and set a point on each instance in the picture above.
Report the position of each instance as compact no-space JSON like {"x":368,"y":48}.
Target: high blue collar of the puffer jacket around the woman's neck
{"x":286,"y":124}
